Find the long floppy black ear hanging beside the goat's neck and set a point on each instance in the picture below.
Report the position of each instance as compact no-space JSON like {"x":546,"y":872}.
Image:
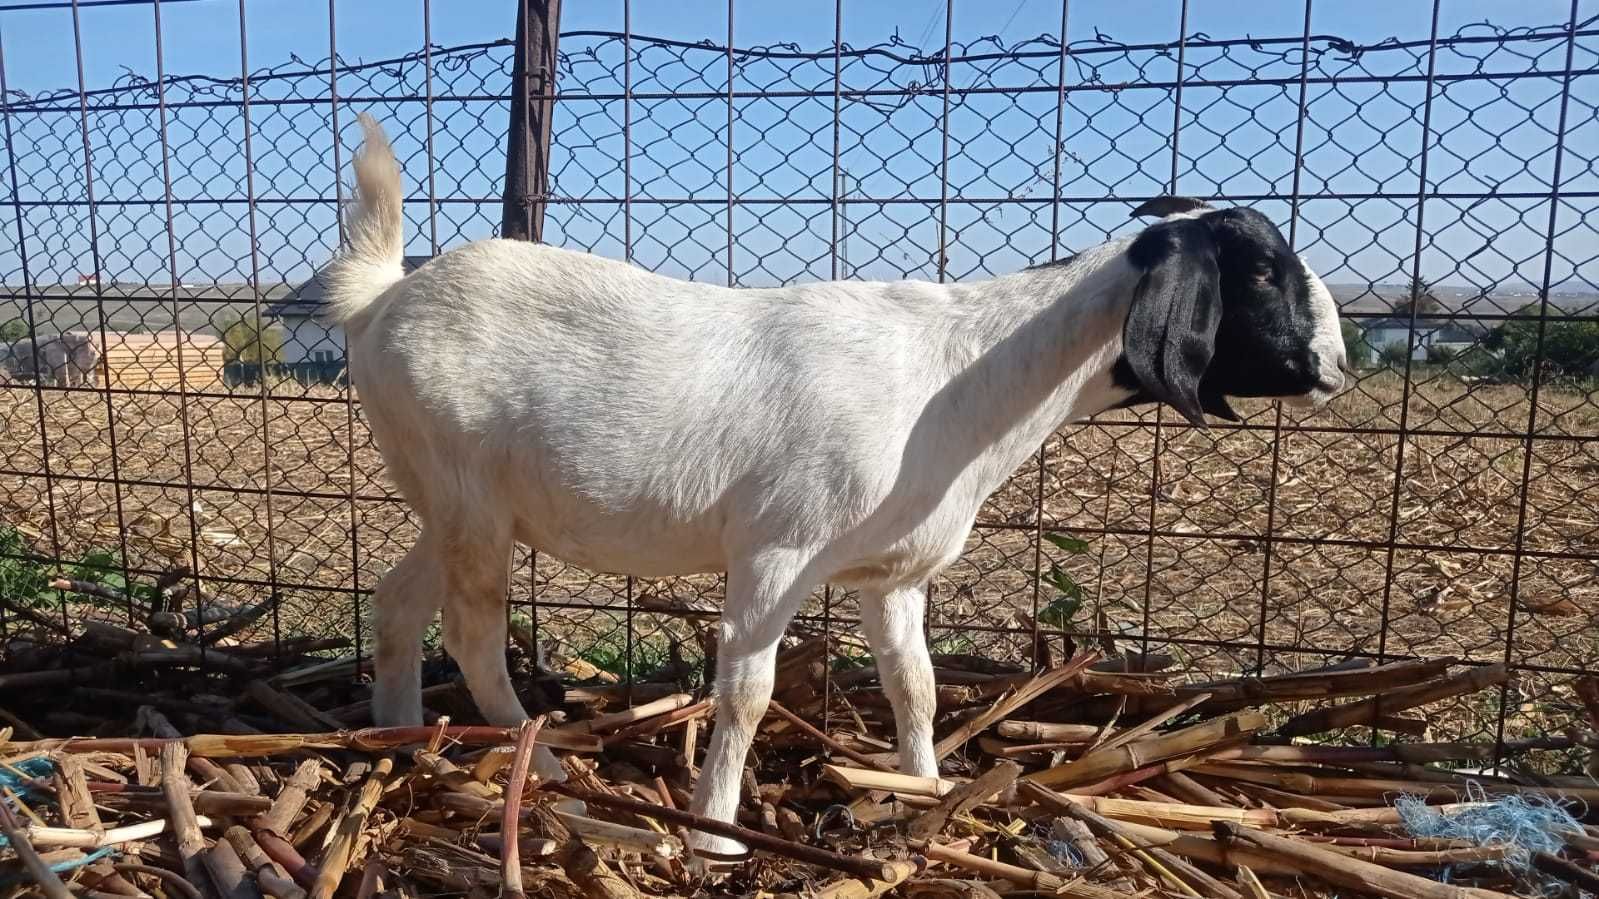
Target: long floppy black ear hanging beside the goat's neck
{"x":1170,"y":335}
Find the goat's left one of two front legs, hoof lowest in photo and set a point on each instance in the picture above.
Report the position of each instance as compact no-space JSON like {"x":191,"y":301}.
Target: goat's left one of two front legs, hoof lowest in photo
{"x":760,"y":602}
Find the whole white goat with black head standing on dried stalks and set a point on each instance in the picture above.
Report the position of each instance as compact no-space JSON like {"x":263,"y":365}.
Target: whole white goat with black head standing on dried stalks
{"x":839,"y":433}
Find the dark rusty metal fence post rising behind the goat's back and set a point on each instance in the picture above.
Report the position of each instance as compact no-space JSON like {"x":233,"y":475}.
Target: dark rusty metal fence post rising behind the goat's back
{"x":532,"y":108}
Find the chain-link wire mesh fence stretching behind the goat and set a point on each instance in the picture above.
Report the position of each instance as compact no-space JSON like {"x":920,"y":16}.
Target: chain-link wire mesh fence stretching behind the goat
{"x":1443,"y":183}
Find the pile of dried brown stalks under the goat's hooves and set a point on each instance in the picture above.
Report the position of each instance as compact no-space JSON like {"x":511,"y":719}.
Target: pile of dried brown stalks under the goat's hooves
{"x":231,"y":770}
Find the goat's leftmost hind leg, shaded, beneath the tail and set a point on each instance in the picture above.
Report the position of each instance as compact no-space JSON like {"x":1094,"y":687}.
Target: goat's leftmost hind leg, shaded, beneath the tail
{"x":404,"y":605}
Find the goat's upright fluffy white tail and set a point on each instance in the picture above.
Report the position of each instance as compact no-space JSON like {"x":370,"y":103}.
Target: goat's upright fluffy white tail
{"x":373,"y":228}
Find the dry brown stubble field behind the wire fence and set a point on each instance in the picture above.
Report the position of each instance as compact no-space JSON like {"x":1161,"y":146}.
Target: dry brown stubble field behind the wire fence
{"x":1194,"y":577}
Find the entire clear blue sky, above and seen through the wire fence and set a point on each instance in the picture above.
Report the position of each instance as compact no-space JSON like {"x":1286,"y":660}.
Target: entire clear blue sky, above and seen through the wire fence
{"x":1243,"y":143}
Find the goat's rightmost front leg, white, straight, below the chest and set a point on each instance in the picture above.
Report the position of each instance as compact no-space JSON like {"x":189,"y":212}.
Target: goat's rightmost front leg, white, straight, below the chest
{"x":893,"y":623}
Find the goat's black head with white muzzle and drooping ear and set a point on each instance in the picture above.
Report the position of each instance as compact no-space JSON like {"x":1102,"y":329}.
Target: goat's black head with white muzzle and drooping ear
{"x":1224,"y":308}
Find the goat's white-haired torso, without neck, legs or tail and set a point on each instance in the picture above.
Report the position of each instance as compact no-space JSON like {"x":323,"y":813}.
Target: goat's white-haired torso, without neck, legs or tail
{"x":626,"y":412}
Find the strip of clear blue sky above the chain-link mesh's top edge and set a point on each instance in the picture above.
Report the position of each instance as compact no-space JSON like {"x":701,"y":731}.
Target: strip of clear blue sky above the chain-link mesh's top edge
{"x":202,"y":36}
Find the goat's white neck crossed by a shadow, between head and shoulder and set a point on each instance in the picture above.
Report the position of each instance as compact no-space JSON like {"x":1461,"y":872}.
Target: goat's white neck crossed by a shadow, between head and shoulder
{"x":1031,"y":353}
